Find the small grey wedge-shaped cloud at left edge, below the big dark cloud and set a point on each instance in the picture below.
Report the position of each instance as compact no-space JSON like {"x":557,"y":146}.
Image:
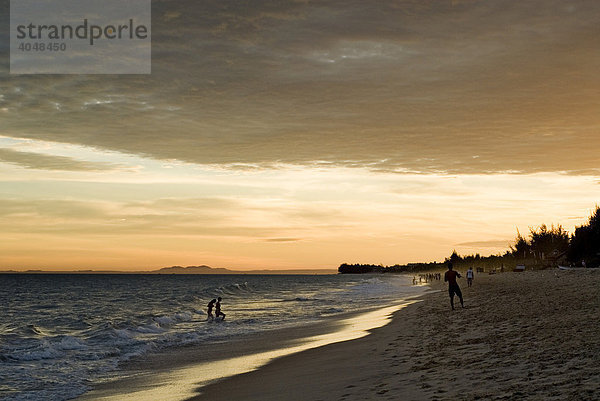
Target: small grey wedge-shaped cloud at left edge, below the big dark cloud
{"x":41,"y":161}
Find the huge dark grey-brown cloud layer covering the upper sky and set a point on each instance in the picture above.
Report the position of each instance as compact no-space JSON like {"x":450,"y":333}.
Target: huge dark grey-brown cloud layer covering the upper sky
{"x":421,"y":86}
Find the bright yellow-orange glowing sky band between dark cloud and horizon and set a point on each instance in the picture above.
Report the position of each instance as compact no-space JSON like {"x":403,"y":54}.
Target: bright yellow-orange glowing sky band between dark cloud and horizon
{"x":289,"y":217}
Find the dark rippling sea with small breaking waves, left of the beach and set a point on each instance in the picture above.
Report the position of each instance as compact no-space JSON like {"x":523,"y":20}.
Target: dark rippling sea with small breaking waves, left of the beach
{"x":61,"y":333}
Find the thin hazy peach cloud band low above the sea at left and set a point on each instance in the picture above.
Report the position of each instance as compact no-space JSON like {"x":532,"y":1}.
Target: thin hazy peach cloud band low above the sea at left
{"x":207,"y":217}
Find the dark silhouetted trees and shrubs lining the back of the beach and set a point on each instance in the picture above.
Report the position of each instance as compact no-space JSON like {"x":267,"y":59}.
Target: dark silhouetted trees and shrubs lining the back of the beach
{"x":544,"y":247}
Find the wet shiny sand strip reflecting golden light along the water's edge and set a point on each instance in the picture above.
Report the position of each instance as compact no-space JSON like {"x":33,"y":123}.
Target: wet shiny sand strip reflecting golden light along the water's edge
{"x":176,"y":373}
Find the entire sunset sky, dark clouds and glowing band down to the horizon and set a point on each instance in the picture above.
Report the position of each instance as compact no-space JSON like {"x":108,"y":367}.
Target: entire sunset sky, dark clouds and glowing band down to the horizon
{"x":305,"y":134}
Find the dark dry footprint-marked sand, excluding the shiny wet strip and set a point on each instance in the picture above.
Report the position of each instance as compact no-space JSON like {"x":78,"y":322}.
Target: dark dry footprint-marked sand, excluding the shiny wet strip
{"x":532,"y":335}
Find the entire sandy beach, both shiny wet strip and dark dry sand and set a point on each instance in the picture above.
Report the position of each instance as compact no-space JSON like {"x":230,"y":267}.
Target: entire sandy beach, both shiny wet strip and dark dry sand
{"x":531,"y":335}
